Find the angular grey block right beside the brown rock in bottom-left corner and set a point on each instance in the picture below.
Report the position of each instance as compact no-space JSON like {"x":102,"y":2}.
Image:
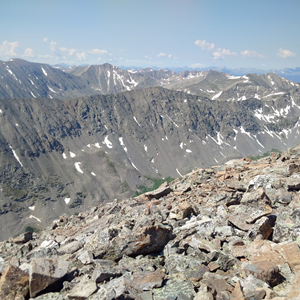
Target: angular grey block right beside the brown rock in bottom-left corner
{"x":44,"y":271}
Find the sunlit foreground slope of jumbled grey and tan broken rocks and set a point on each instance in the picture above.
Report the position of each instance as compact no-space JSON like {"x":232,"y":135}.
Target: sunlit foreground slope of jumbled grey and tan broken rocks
{"x":227,"y":232}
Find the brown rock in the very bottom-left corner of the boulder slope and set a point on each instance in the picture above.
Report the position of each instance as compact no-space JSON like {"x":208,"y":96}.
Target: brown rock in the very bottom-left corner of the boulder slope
{"x":14,"y":283}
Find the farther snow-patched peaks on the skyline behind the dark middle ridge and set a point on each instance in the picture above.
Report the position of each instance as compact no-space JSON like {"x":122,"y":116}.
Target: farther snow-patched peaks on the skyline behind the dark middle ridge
{"x":22,"y":79}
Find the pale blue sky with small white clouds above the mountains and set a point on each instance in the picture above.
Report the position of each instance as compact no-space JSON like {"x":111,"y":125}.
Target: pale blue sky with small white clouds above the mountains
{"x":164,"y":33}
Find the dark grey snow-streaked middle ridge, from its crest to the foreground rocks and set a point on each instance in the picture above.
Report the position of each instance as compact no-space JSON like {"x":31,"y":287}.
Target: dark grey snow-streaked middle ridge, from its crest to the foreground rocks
{"x":63,"y":156}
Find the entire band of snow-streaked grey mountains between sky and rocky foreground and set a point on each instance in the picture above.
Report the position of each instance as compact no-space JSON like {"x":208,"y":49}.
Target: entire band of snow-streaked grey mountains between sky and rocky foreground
{"x":72,"y":139}
